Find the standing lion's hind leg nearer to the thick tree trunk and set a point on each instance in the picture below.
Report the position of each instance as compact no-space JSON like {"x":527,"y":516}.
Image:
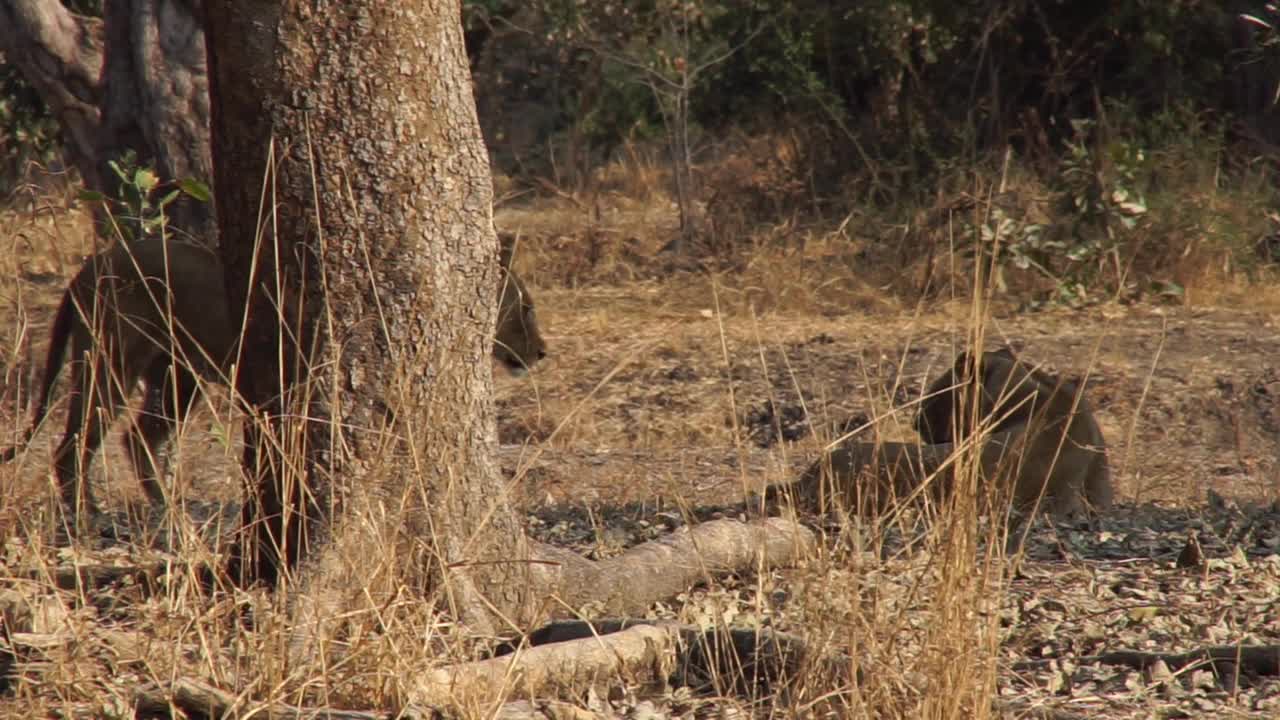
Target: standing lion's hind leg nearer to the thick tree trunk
{"x":170,"y":391}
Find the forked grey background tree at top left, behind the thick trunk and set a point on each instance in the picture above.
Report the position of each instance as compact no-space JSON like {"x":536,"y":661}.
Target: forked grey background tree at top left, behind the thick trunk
{"x":130,"y":83}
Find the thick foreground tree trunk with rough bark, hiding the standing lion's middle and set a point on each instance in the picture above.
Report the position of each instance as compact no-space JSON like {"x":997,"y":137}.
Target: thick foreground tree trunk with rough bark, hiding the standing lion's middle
{"x":371,"y":281}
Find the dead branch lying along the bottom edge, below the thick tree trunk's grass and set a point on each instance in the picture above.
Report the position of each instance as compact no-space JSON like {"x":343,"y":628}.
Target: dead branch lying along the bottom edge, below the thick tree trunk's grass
{"x":195,"y":699}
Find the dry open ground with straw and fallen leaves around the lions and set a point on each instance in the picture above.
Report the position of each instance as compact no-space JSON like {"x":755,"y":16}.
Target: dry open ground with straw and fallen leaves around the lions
{"x":668,"y":393}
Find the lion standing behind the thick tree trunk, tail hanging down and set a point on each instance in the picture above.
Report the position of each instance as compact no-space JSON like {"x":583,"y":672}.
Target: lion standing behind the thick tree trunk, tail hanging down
{"x":126,"y":323}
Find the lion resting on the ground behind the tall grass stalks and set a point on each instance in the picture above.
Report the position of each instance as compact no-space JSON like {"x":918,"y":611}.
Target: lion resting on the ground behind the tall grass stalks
{"x":1023,"y":449}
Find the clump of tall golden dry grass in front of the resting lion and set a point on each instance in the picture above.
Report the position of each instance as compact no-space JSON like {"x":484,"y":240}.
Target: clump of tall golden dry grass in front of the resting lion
{"x":913,"y":598}
